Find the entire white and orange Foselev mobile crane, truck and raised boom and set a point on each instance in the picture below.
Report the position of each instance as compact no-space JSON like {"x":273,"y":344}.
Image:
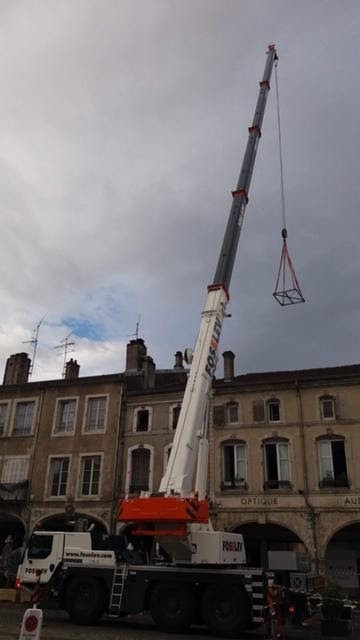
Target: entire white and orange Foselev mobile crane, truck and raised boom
{"x":201,"y":577}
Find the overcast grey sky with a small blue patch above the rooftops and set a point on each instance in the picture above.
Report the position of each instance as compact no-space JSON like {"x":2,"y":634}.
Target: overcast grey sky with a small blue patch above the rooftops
{"x":123,"y":126}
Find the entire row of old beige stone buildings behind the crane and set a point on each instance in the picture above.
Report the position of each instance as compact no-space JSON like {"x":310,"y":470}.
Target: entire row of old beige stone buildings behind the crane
{"x":283,"y":453}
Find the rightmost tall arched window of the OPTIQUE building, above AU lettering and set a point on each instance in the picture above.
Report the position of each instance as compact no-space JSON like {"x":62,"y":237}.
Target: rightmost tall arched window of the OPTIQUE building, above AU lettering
{"x":333,"y":468}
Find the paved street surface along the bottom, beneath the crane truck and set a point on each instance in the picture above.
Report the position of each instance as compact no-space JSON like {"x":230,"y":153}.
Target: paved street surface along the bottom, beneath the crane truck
{"x":57,"y":626}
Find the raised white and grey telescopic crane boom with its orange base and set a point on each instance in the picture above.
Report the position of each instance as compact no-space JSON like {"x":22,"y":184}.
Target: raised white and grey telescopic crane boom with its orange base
{"x":182,"y":494}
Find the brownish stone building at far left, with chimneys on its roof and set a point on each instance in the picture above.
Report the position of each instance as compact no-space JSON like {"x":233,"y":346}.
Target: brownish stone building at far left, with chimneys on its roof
{"x":59,"y":452}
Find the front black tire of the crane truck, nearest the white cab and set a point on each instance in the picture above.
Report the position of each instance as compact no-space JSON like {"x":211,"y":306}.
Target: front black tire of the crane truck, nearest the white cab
{"x":85,"y":600}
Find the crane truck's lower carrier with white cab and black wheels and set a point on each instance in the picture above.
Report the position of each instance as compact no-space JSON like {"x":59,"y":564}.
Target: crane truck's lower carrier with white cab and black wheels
{"x":89,"y":582}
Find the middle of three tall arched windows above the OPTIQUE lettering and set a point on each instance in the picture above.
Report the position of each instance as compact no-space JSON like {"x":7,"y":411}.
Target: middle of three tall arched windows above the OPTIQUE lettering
{"x":277,"y":465}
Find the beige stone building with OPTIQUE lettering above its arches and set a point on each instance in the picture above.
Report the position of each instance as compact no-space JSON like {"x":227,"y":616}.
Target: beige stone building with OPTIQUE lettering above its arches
{"x":285,"y":468}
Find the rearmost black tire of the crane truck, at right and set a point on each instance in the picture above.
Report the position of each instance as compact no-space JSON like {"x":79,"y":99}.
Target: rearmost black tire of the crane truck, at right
{"x":226,"y":610}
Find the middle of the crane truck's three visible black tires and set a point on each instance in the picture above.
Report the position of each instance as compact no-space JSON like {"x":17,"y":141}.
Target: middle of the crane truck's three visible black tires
{"x":172,"y":606}
